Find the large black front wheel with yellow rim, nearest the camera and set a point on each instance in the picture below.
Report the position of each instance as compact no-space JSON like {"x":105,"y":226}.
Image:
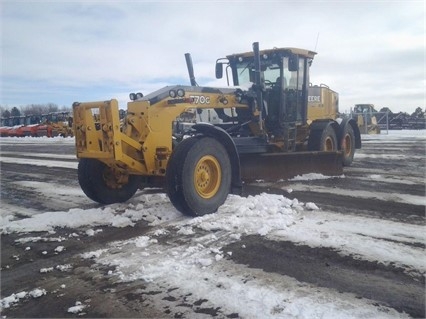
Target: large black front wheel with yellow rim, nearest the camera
{"x":198,"y":176}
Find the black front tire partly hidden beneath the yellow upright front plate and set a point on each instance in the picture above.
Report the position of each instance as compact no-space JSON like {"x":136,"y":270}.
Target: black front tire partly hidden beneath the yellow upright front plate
{"x":100,"y":184}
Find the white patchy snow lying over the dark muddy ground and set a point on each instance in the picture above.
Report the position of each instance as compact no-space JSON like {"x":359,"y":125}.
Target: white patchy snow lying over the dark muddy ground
{"x":197,"y":264}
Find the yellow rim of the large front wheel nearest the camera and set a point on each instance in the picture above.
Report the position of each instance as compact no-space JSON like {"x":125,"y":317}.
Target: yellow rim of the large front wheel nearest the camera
{"x":207,"y":177}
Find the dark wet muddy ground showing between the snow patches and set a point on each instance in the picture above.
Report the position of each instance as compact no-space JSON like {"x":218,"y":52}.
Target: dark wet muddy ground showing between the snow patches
{"x":356,"y":194}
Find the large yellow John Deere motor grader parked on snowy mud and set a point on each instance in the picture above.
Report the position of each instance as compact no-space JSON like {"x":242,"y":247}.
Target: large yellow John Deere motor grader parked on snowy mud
{"x":264,"y":134}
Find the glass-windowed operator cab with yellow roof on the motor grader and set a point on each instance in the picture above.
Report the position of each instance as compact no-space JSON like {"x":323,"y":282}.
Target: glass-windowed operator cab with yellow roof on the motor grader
{"x":284,"y":80}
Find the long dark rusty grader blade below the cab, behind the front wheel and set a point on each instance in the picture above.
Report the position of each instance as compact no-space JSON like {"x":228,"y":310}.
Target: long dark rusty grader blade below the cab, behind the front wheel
{"x":273,"y":167}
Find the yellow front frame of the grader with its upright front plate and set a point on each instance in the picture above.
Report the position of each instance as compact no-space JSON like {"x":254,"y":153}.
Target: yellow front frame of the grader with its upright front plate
{"x":143,"y":143}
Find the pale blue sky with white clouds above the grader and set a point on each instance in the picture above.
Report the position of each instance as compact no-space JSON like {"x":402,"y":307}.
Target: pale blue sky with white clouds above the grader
{"x":65,"y":51}
